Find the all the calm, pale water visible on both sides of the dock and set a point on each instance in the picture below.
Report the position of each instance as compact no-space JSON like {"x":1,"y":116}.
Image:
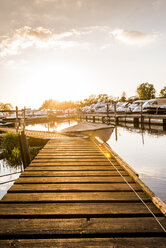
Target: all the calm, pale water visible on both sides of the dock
{"x":144,"y":151}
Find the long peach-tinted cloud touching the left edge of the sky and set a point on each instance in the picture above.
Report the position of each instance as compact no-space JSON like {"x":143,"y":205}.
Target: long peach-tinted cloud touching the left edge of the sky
{"x":39,"y":37}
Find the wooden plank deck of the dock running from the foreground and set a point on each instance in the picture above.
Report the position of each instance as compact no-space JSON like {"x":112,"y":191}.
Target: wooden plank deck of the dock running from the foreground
{"x":75,"y":193}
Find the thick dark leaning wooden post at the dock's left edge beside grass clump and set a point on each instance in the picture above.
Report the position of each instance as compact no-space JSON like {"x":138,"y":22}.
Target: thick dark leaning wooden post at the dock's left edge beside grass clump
{"x":24,"y":149}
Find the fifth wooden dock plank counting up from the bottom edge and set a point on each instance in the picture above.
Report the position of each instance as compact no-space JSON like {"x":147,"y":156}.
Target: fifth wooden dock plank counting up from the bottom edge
{"x":73,"y":187}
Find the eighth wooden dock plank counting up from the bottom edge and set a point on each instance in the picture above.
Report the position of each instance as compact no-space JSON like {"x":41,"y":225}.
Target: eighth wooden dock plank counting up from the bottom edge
{"x":71,"y":168}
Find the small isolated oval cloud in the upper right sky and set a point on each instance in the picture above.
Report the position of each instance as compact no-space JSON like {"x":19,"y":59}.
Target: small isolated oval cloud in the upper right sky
{"x":132,"y":37}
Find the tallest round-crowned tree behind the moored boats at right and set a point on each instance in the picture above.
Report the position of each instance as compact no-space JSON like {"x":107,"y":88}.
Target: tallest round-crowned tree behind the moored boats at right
{"x":146,"y":91}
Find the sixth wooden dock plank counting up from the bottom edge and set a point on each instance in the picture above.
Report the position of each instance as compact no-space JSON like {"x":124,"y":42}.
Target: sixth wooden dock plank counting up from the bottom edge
{"x":73,"y":180}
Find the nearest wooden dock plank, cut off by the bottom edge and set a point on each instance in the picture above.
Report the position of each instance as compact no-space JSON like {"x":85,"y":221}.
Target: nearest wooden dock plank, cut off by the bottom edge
{"x":124,"y":242}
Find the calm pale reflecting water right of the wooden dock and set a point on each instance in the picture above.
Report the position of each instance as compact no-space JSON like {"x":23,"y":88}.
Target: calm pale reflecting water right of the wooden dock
{"x":145,"y":151}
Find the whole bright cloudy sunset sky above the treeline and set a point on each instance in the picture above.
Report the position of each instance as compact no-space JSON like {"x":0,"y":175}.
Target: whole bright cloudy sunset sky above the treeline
{"x":70,"y":49}
